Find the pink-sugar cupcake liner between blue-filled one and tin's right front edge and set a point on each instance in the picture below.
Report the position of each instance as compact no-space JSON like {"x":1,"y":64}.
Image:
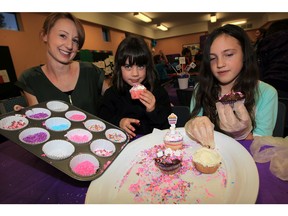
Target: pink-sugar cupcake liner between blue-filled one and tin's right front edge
{"x":79,"y":136}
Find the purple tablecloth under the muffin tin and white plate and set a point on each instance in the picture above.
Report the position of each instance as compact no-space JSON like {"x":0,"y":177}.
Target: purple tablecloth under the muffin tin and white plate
{"x":24,"y":178}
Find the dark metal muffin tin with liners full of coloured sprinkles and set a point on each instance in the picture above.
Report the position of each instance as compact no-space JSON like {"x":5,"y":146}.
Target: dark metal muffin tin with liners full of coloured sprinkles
{"x":68,"y":138}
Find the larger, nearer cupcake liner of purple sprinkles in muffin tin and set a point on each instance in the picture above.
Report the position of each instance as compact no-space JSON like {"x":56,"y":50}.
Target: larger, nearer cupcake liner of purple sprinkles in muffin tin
{"x":34,"y":136}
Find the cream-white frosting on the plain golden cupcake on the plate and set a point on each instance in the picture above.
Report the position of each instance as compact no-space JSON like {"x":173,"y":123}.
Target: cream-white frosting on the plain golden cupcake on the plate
{"x":206,"y":157}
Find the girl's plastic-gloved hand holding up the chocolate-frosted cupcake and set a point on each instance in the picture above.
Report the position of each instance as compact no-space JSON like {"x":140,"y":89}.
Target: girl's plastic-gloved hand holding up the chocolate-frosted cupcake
{"x":237,"y":123}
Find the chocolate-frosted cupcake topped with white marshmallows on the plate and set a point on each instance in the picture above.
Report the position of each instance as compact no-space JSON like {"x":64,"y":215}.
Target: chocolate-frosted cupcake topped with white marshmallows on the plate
{"x":168,"y":161}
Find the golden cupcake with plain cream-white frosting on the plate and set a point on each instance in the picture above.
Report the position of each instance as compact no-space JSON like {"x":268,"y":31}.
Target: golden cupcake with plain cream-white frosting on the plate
{"x":206,"y":160}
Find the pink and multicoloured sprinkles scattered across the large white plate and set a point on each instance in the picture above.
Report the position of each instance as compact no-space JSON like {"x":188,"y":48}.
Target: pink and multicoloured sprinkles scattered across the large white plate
{"x":186,"y":186}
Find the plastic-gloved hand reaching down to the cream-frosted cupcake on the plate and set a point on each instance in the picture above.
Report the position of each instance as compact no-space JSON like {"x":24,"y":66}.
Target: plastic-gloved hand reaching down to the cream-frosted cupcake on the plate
{"x":201,"y":129}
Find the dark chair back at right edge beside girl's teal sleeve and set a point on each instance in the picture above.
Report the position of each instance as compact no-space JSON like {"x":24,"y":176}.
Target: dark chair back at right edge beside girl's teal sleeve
{"x":280,"y":122}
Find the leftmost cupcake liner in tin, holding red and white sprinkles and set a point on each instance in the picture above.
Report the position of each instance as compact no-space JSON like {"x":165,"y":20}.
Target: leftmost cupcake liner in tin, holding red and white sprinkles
{"x":12,"y":123}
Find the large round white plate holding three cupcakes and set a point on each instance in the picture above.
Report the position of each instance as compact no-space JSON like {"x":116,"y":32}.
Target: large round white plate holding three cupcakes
{"x":236,"y":181}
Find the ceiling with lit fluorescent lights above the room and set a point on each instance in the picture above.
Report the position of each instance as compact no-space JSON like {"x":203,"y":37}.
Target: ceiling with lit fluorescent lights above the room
{"x":179,"y":23}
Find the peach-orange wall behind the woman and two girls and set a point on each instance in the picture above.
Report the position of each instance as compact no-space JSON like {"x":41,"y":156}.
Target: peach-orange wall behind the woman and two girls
{"x":27,"y":49}
